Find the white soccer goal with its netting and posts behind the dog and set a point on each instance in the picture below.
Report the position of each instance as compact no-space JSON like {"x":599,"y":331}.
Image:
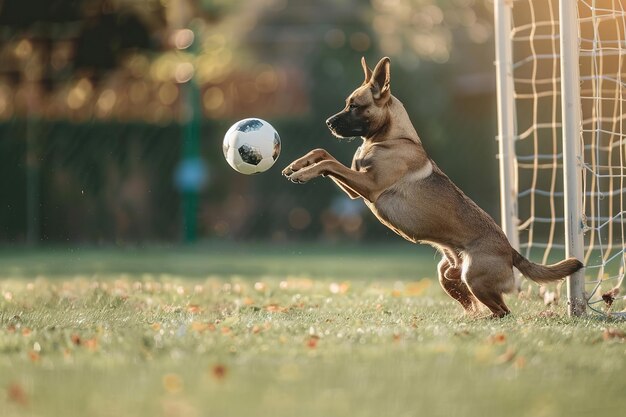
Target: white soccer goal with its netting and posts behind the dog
{"x":533,"y":71}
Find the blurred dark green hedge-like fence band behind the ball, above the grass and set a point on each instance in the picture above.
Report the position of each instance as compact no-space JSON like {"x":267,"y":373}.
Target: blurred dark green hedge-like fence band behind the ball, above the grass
{"x":116,"y":182}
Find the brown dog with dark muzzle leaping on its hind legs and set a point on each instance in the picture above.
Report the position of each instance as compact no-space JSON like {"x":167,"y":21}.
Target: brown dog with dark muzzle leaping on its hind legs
{"x":408,"y":193}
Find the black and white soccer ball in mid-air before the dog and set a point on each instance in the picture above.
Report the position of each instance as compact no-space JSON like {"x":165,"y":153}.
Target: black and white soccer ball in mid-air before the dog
{"x":251,"y":146}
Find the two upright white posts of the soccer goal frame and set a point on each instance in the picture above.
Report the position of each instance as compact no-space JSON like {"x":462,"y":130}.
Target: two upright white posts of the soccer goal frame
{"x":571,"y":137}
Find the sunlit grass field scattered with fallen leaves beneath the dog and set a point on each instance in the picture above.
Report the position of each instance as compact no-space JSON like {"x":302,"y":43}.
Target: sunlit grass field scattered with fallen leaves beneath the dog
{"x":304,"y":330}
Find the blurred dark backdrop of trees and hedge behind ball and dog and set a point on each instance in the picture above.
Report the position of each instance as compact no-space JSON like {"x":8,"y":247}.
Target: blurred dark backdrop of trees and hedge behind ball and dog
{"x":97,"y":96}
